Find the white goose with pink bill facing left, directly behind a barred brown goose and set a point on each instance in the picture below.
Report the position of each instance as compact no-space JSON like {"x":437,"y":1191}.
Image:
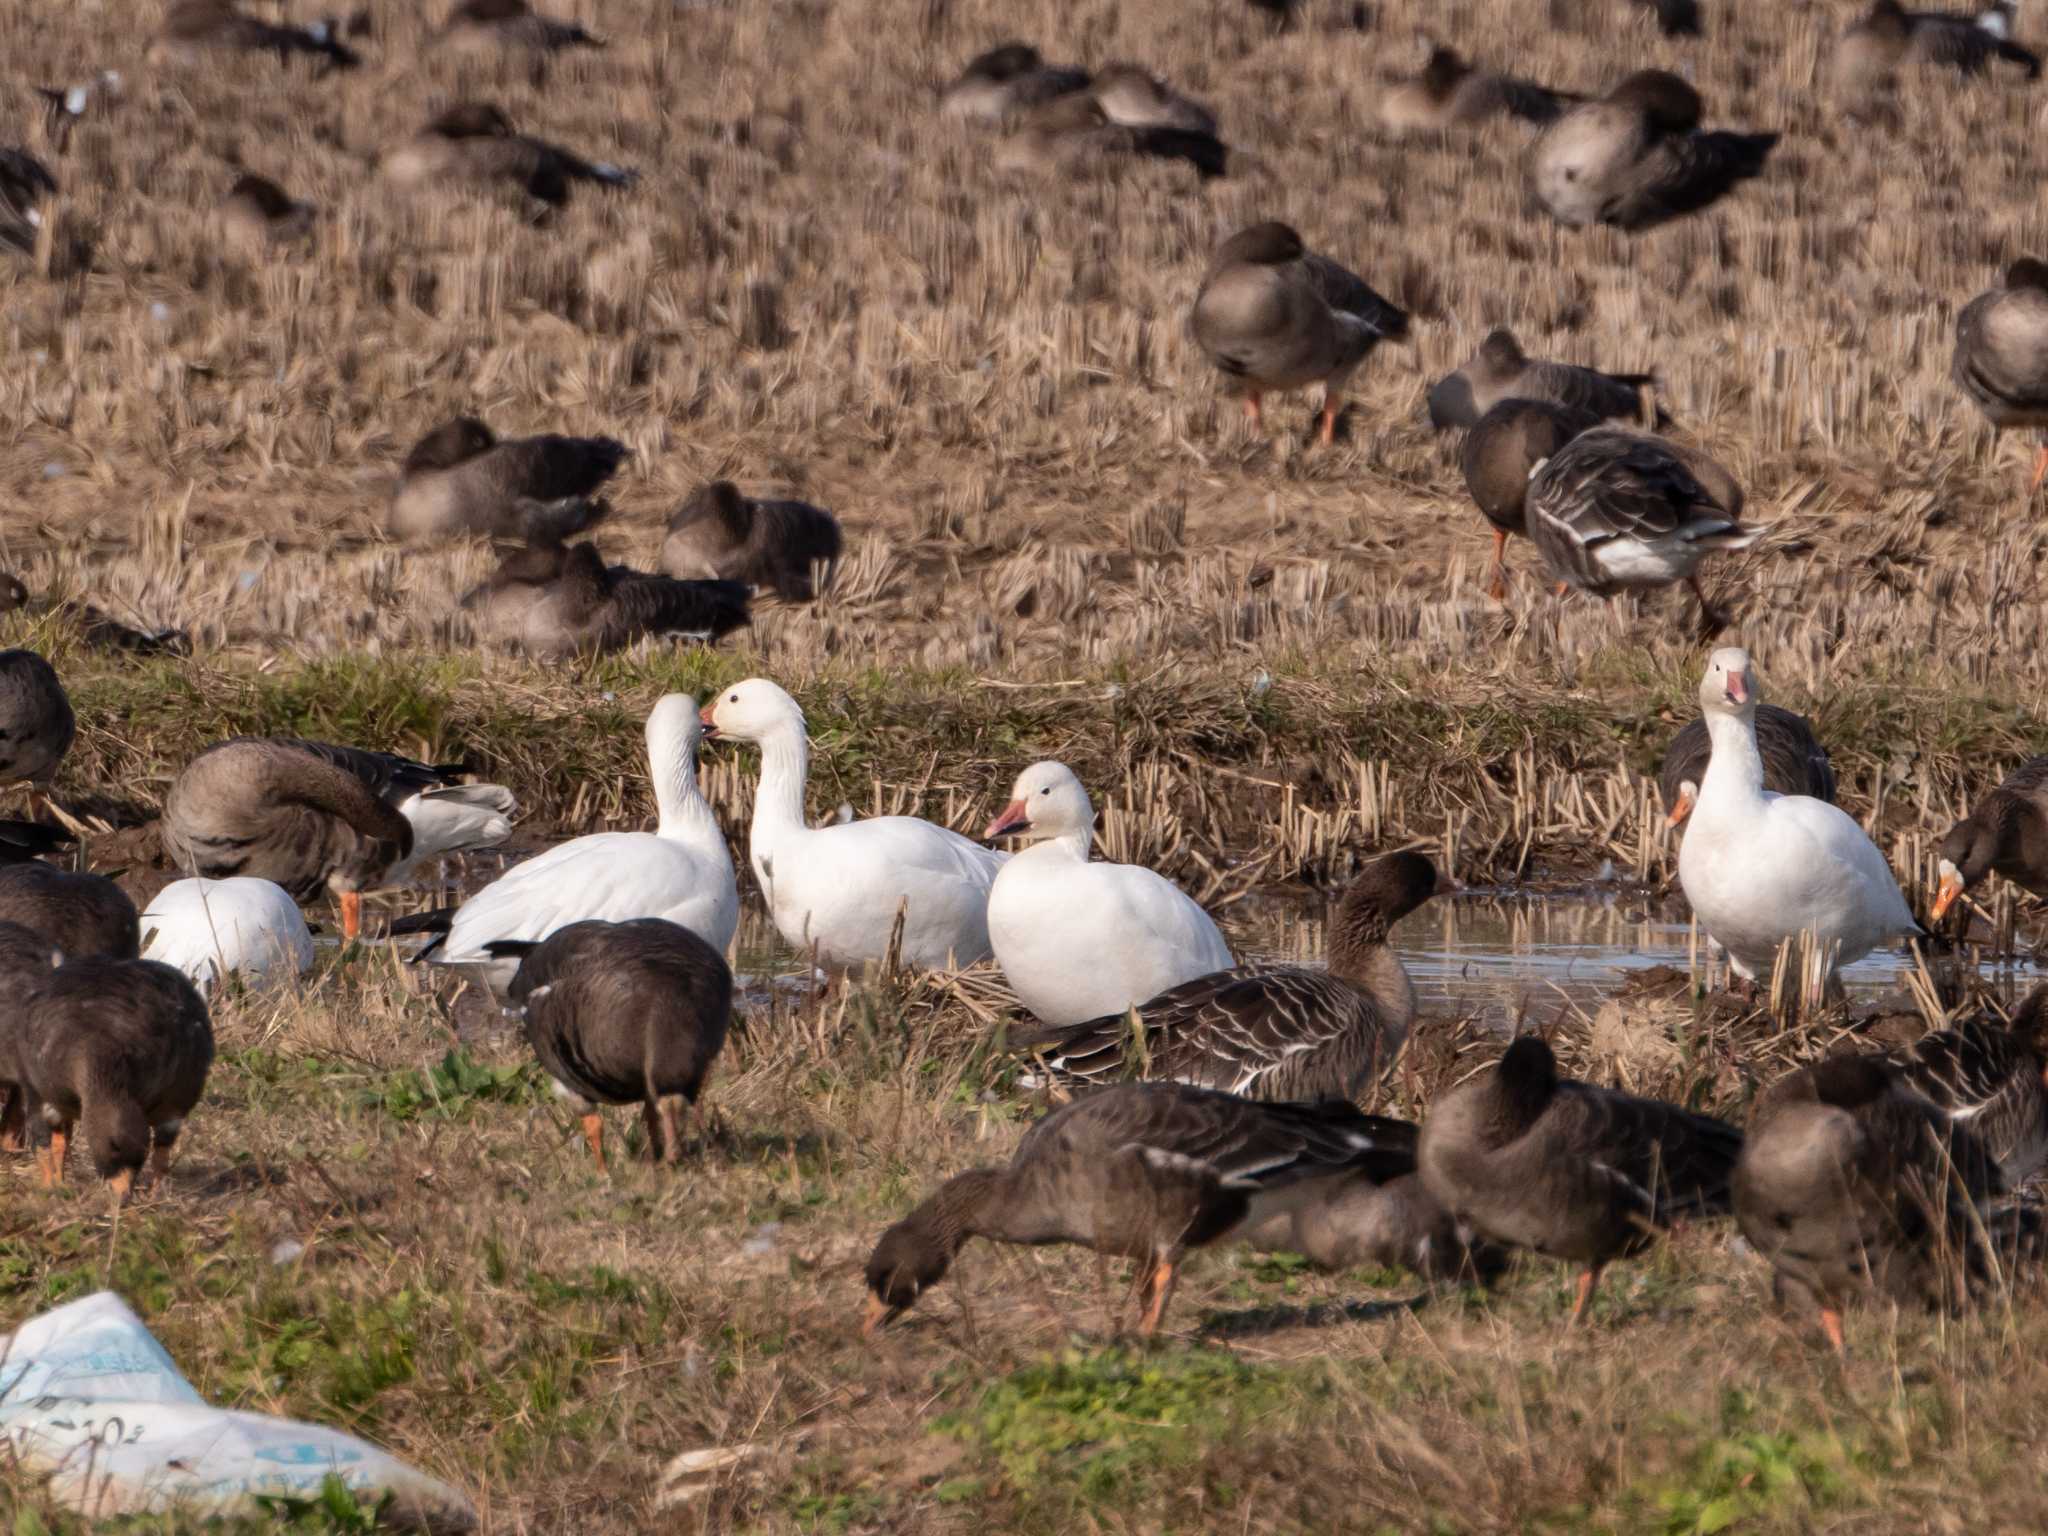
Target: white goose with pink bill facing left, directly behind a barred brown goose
{"x":1082,"y":941}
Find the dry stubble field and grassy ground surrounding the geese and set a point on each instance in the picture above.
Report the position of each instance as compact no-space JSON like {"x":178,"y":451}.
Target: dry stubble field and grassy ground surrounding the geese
{"x":1265,"y":656}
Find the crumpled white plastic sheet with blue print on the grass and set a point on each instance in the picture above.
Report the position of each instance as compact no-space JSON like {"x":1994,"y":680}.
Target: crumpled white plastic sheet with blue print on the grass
{"x":93,"y":1404}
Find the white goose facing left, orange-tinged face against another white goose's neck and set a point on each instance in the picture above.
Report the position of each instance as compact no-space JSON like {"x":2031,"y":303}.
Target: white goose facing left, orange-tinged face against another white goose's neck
{"x":839,"y":890}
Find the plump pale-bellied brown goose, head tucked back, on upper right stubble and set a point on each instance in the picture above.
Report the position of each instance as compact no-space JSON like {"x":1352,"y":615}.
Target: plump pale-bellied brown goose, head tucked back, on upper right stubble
{"x":1637,"y":157}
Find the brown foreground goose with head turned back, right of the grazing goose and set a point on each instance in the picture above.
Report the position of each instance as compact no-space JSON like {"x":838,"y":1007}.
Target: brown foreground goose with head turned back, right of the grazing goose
{"x":1570,"y":1170}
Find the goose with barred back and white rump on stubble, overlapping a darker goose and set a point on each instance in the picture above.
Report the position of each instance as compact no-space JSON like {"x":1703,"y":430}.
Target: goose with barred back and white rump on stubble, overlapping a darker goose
{"x":1619,"y":511}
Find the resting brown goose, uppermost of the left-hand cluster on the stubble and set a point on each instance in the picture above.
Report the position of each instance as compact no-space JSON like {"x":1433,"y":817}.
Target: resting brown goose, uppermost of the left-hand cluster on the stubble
{"x":460,"y":480}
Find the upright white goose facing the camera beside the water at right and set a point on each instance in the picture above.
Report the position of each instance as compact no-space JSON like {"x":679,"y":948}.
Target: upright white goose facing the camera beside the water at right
{"x":1762,"y":867}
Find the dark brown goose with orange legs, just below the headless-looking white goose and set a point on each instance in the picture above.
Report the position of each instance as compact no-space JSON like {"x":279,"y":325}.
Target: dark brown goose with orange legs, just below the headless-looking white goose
{"x":120,"y":1050}
